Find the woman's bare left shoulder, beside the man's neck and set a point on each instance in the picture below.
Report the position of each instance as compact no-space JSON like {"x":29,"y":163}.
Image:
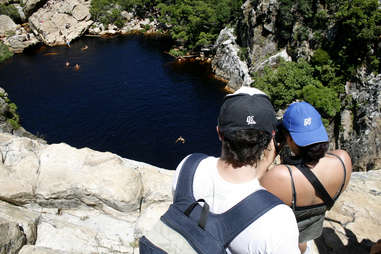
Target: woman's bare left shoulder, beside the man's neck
{"x":278,"y":181}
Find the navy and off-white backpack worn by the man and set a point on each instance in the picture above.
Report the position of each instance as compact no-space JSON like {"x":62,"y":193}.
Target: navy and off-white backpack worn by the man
{"x":188,"y":227}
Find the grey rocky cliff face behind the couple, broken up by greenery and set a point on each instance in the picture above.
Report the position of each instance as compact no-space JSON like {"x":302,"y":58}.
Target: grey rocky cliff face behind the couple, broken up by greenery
{"x":253,"y":44}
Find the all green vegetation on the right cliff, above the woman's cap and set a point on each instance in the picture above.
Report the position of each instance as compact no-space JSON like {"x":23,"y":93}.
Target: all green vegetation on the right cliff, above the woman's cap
{"x":345,"y":37}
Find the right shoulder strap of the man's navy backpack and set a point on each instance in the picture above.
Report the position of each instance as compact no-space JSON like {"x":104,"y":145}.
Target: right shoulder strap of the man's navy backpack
{"x":246,"y":212}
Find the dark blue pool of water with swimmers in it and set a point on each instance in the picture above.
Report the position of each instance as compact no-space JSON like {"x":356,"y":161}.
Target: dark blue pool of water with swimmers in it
{"x":128,"y":98}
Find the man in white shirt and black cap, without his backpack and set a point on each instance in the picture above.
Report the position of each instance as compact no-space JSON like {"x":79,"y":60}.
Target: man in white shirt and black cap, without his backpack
{"x":246,"y":128}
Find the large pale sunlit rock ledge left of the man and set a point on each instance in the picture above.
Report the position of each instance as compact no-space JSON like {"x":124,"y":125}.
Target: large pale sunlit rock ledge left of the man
{"x":58,"y":199}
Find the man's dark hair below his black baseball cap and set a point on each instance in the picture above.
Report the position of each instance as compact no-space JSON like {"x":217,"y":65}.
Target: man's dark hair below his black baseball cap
{"x":244,"y":147}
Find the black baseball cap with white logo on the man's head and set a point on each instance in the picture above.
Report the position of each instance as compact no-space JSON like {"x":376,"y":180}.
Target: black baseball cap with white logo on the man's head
{"x":247,"y":108}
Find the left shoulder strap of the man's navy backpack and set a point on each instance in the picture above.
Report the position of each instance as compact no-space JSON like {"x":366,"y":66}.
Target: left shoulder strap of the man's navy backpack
{"x":184,"y":186}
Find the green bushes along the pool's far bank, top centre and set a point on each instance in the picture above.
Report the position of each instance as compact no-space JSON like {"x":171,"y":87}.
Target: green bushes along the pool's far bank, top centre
{"x":194,"y":23}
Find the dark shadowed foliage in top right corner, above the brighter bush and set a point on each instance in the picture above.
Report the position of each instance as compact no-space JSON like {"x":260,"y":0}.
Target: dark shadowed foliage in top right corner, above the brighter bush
{"x":353,"y":36}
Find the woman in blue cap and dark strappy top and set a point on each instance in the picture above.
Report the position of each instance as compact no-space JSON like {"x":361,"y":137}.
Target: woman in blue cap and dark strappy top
{"x":314,"y":178}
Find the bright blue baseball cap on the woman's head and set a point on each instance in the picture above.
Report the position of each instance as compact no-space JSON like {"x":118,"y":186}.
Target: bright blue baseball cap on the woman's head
{"x":304,"y":124}
